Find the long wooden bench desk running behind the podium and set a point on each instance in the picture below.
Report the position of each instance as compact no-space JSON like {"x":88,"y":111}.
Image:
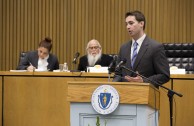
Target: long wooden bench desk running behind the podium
{"x":40,"y":98}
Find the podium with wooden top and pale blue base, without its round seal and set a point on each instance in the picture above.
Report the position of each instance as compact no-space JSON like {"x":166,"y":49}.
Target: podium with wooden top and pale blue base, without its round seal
{"x":139,"y":104}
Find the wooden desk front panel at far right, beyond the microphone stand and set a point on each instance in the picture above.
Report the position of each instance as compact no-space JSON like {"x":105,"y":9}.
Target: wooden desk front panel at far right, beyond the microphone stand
{"x":183,"y":107}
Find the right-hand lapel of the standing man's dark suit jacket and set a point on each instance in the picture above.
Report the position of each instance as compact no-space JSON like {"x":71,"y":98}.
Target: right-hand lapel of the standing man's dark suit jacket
{"x":141,"y":52}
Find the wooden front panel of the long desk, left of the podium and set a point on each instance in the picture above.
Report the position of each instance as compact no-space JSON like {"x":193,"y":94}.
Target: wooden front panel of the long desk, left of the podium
{"x":38,"y":100}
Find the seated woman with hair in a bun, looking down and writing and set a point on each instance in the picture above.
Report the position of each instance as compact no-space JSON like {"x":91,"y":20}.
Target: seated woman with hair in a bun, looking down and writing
{"x":41,"y":59}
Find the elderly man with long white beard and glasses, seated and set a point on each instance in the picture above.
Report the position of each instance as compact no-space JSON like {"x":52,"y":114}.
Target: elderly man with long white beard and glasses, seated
{"x":94,"y":56}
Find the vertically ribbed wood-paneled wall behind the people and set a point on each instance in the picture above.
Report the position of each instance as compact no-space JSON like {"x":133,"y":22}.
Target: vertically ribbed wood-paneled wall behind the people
{"x":72,"y":23}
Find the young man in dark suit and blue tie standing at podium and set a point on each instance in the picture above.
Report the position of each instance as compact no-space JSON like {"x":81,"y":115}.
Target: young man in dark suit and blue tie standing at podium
{"x":144,"y":55}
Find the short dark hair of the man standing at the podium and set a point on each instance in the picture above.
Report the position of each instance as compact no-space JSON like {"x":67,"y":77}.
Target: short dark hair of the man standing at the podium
{"x":139,"y":16}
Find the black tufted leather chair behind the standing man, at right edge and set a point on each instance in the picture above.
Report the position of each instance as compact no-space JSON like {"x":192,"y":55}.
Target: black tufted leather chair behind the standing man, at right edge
{"x":180,"y":55}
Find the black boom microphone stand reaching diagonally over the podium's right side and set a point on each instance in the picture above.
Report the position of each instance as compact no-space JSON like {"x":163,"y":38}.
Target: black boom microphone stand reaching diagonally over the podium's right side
{"x":170,"y":92}
